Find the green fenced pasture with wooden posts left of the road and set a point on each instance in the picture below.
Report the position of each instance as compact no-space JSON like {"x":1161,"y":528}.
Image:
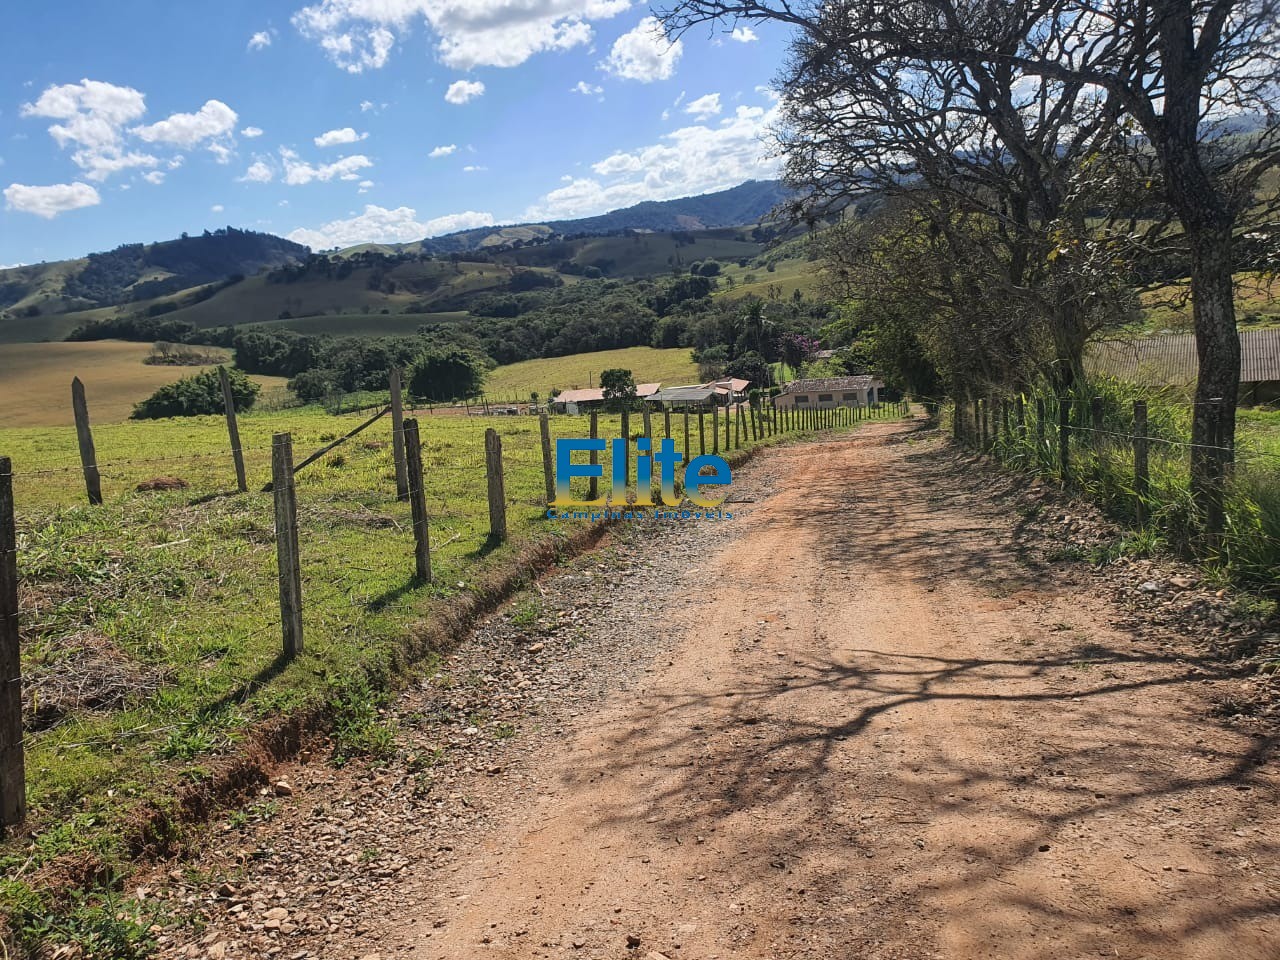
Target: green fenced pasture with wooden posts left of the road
{"x":346,"y":560}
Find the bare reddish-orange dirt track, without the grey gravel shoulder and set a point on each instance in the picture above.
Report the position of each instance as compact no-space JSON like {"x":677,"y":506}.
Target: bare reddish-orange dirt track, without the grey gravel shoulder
{"x":876,"y":733}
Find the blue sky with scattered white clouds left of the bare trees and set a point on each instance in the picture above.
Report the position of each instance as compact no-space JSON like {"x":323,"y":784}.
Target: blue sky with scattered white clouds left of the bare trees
{"x":346,"y":121}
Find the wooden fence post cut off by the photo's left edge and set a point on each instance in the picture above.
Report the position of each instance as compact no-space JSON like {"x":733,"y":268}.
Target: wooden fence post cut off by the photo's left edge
{"x":13,"y":779}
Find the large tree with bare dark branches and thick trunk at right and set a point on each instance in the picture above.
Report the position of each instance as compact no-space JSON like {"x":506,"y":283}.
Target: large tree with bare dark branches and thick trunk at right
{"x":1049,"y":89}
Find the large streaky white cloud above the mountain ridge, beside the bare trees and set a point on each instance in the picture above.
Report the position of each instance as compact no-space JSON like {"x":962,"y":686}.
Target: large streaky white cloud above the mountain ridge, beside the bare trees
{"x":687,"y":162}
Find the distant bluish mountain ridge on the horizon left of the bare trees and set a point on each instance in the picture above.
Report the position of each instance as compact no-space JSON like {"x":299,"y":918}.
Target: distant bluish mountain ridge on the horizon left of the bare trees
{"x":743,"y":205}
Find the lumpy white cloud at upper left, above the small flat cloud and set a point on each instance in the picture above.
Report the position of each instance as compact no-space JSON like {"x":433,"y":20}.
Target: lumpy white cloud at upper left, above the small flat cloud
{"x":92,"y":117}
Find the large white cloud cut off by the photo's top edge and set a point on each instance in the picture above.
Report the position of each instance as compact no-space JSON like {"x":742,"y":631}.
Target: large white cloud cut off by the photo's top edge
{"x":360,"y":35}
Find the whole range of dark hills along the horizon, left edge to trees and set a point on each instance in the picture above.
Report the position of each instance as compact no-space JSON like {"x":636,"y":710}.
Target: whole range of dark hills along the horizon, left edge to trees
{"x":240,"y":277}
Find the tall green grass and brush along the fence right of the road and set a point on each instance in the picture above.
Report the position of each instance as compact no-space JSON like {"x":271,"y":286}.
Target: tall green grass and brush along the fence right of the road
{"x":1131,"y":454}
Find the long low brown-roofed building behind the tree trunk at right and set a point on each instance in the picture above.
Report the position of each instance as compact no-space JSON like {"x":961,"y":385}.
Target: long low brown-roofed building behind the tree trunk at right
{"x":1171,"y":362}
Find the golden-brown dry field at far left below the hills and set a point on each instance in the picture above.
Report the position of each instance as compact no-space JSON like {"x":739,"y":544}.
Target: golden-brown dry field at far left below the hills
{"x":35,"y":381}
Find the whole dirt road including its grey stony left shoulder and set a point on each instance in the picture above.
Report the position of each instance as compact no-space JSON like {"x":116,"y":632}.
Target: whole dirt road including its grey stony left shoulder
{"x":879,"y":714}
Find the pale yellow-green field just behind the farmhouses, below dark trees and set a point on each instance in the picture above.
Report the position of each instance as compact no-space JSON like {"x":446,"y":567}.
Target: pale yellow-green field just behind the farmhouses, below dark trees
{"x":648,"y":365}
